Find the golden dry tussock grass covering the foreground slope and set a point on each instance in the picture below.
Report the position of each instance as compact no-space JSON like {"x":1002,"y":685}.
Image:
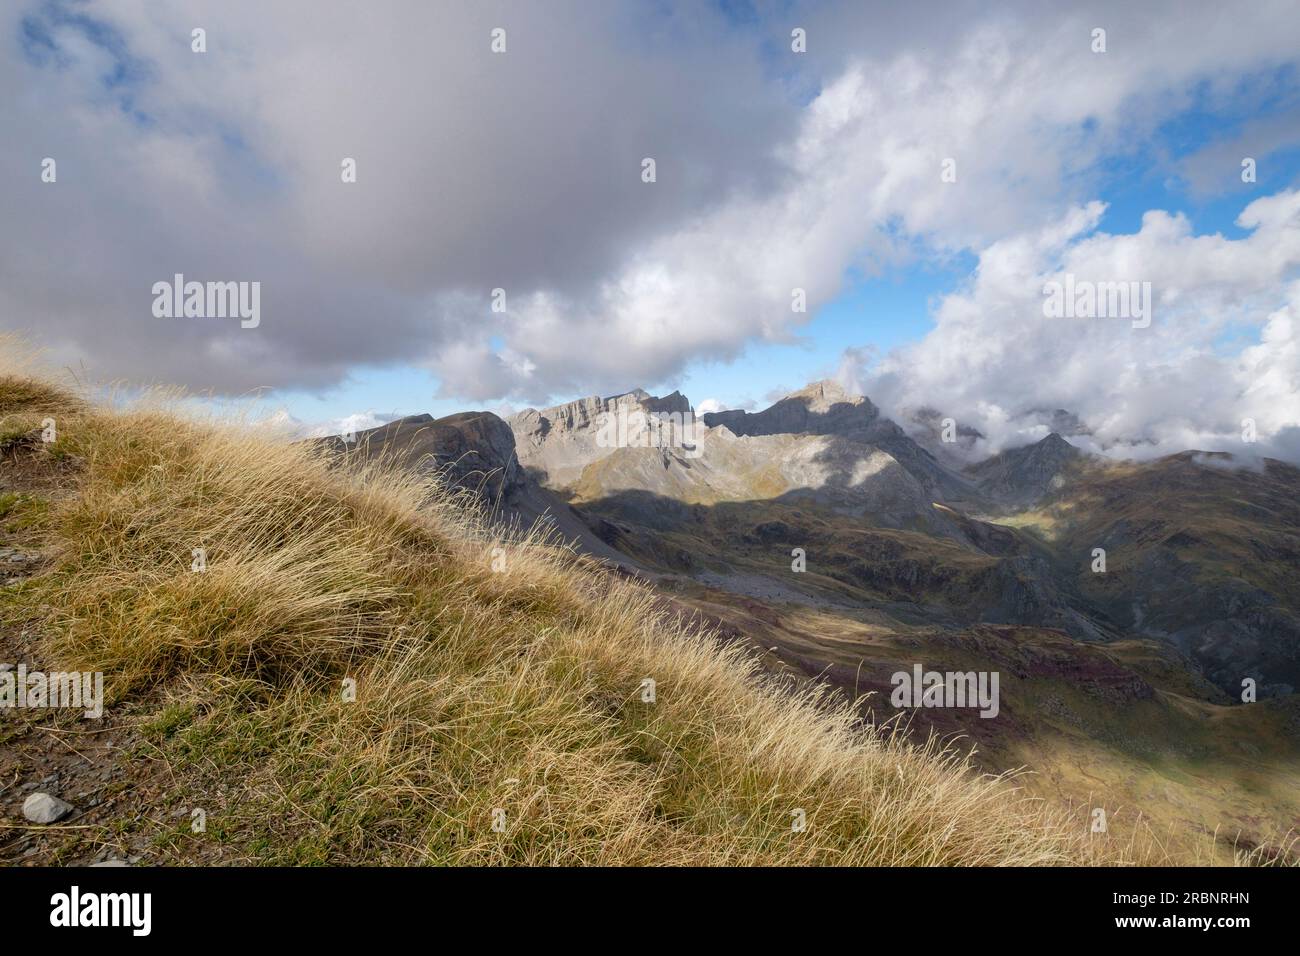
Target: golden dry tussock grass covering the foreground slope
{"x":478,"y":691}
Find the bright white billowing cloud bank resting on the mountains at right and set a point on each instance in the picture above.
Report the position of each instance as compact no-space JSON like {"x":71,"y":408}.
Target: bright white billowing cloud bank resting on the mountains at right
{"x":994,"y":361}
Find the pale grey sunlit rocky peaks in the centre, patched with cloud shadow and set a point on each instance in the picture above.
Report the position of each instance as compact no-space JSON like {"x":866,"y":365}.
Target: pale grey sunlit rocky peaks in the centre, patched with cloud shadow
{"x":820,"y":444}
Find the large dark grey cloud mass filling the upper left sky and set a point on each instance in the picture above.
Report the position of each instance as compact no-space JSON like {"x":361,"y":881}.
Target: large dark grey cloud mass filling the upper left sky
{"x":475,"y":171}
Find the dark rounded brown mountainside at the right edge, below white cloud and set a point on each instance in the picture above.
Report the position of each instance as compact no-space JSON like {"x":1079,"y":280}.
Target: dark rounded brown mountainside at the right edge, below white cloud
{"x":1201,"y":555}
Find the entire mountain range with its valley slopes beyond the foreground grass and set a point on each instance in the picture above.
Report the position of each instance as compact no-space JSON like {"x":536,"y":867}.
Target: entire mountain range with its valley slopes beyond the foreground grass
{"x":1145,"y":616}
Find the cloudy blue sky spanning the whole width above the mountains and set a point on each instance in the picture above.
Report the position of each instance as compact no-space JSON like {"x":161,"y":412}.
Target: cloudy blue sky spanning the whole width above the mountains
{"x":920,"y":171}
